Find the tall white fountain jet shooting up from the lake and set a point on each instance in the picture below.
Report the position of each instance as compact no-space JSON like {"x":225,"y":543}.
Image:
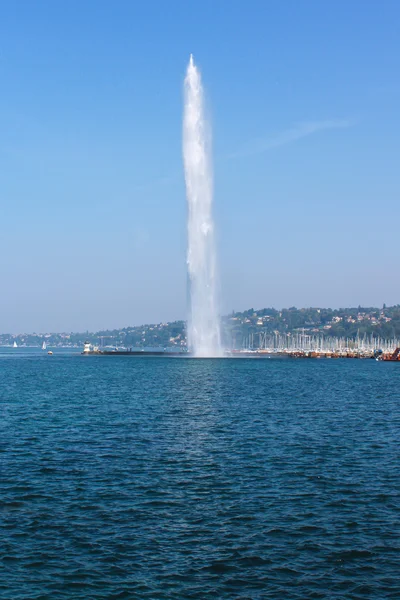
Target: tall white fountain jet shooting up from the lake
{"x":203,"y":323}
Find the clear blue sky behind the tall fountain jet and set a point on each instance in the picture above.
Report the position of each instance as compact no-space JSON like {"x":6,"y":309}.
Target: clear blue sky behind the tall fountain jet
{"x":304,"y":98}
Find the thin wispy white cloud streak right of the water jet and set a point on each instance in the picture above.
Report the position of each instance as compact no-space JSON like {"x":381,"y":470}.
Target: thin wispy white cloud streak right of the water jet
{"x":289,"y":136}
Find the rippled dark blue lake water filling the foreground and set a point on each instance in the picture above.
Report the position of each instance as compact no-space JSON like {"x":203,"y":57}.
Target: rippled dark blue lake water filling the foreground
{"x":128,"y":477}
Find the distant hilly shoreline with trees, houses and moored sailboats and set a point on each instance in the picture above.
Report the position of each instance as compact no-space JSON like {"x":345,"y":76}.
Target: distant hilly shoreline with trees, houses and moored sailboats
{"x":250,"y":329}
